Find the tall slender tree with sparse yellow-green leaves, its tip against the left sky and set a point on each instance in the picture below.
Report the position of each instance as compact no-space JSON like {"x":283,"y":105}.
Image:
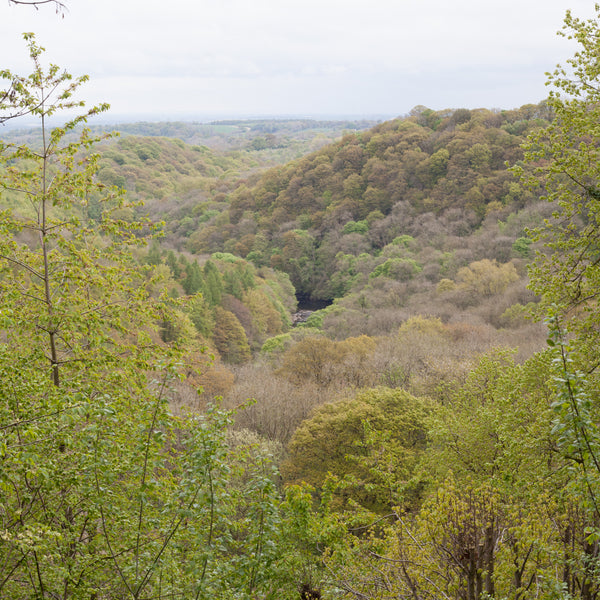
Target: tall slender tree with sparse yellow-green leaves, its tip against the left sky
{"x":72,"y":269}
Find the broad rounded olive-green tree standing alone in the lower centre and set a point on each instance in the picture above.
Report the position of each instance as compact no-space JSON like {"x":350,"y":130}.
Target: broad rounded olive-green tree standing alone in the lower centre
{"x":371,"y":441}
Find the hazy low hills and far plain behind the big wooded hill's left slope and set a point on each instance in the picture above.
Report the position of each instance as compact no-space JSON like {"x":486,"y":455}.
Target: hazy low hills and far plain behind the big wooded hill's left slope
{"x":183,"y":171}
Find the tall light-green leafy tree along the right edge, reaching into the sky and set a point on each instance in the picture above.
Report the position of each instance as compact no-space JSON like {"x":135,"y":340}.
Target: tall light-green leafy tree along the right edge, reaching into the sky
{"x":566,"y":275}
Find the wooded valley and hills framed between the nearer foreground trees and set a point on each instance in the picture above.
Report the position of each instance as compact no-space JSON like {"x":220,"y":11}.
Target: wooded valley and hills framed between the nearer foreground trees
{"x":415,"y":229}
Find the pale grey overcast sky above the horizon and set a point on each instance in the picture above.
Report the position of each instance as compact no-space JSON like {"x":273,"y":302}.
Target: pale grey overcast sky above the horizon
{"x":199,"y":59}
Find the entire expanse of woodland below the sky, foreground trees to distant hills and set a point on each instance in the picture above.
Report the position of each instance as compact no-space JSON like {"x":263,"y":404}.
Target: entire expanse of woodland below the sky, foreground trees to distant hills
{"x":169,"y":430}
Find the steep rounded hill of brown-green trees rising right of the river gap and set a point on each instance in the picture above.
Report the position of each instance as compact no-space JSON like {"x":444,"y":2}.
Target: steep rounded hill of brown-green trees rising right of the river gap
{"x":434,"y":176}
